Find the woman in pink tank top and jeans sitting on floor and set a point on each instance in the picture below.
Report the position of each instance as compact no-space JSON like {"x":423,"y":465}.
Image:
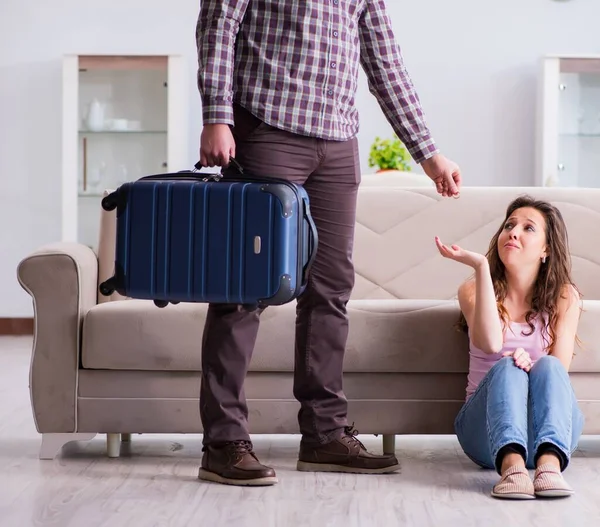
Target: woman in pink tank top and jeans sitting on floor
{"x":521,"y":311}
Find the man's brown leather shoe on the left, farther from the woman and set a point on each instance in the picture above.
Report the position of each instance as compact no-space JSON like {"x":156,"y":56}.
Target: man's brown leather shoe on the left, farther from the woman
{"x":235,"y":464}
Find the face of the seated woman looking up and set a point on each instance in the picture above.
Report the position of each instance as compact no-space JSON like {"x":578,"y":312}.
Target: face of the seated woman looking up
{"x":522,"y":241}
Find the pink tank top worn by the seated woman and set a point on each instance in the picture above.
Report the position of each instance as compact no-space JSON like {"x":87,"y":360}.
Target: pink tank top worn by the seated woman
{"x":480,"y":362}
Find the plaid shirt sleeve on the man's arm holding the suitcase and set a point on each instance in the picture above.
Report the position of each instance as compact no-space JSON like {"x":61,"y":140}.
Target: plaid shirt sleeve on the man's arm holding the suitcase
{"x":216,"y":31}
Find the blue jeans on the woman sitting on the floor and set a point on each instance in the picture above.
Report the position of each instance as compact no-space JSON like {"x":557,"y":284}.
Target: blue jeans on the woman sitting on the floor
{"x":512,"y":407}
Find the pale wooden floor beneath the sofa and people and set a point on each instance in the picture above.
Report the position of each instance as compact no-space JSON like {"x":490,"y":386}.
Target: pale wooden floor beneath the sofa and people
{"x":154,"y":482}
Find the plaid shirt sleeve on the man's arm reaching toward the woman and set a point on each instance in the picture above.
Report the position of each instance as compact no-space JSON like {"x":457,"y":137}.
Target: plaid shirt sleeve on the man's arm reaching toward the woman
{"x":390,"y":83}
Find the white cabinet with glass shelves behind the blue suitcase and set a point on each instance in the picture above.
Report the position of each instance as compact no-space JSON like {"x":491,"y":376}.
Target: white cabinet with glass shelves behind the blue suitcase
{"x":124,"y":117}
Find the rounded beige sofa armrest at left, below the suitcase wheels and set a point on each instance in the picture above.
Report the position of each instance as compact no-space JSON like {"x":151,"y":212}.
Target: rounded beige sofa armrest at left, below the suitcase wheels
{"x":62,"y":280}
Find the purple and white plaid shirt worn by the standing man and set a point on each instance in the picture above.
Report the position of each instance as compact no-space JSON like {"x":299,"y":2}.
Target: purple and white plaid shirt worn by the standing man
{"x":294,"y":64}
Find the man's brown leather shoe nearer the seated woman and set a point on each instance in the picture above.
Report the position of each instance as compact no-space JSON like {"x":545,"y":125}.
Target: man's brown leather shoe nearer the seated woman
{"x":344,"y":454}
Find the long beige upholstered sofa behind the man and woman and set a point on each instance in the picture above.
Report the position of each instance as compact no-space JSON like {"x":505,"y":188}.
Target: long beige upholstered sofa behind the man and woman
{"x":125,"y":366}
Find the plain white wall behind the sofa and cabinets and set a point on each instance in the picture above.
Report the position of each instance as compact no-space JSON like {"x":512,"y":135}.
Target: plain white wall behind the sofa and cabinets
{"x":474,"y":63}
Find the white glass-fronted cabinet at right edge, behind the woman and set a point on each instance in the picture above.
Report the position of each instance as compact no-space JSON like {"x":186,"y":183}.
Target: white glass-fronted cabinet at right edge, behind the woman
{"x":568,"y":145}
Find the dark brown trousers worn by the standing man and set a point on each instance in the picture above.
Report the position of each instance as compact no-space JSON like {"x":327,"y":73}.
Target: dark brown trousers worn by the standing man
{"x":330,"y":173}
